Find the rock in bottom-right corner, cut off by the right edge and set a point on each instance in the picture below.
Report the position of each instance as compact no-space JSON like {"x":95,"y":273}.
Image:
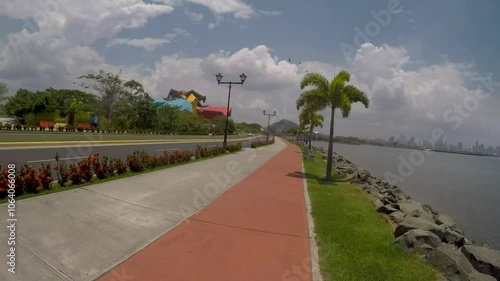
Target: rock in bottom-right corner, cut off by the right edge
{"x":483,"y":259}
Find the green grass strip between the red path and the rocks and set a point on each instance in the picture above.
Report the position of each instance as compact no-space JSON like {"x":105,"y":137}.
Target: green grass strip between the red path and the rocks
{"x":355,"y":242}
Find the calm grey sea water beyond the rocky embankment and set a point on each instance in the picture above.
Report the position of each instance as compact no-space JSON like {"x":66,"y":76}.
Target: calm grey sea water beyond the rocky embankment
{"x":465,"y":187}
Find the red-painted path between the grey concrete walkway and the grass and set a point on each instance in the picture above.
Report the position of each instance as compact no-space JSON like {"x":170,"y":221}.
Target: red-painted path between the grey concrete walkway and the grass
{"x":257,"y":230}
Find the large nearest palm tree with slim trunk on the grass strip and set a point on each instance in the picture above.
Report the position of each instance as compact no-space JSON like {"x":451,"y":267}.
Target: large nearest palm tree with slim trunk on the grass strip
{"x":333,"y":95}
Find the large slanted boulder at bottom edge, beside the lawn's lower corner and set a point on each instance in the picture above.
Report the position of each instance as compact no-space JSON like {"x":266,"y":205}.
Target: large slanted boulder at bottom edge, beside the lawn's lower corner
{"x":454,"y":265}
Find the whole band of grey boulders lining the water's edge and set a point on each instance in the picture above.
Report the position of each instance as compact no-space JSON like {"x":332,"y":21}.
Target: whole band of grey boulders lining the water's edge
{"x":422,"y":230}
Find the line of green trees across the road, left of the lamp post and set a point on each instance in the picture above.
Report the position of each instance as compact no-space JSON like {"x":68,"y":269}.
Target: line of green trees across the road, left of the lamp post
{"x":121,"y":105}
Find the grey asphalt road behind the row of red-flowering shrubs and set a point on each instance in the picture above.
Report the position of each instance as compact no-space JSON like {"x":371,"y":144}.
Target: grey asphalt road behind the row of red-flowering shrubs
{"x":74,"y":153}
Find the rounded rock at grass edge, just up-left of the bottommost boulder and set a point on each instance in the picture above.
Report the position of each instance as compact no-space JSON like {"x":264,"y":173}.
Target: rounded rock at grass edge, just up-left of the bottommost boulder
{"x":418,"y":240}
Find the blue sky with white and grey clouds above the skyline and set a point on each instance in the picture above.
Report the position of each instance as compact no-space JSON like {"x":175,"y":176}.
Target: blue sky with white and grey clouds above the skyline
{"x":424,"y":65}
